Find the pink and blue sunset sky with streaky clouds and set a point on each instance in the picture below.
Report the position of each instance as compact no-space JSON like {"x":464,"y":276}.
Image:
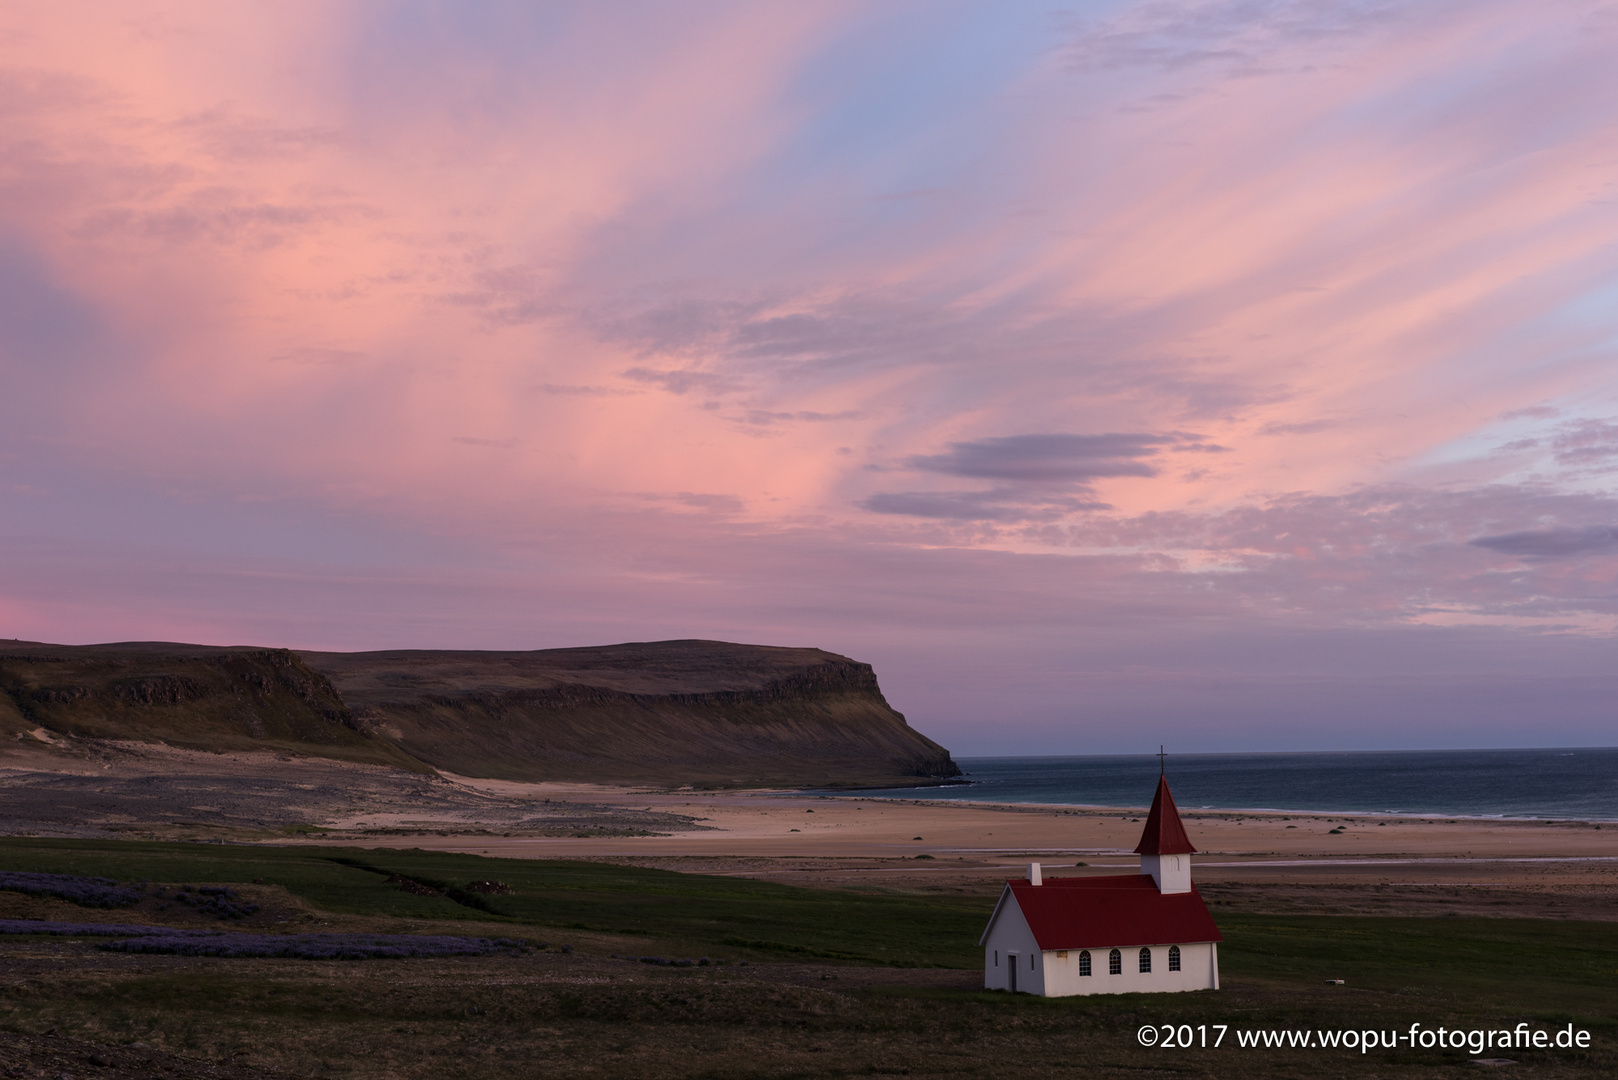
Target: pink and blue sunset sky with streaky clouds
{"x":1230,"y":375}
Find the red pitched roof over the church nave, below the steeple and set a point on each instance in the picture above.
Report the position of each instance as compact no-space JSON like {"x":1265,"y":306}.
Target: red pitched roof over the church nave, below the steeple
{"x":1109,"y":912}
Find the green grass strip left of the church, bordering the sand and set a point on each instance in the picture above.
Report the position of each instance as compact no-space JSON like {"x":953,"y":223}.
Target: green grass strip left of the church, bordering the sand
{"x":682,"y":909}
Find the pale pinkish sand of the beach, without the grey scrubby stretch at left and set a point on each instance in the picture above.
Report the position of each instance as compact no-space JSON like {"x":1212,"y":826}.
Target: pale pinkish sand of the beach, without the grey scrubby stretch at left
{"x":1374,"y":864}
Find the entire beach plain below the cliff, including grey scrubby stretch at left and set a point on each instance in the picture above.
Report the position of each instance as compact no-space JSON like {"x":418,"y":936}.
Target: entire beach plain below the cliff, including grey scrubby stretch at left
{"x":1247,"y":859}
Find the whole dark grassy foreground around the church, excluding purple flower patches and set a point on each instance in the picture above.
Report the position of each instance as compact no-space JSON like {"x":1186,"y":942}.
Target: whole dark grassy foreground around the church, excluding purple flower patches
{"x":800,"y":982}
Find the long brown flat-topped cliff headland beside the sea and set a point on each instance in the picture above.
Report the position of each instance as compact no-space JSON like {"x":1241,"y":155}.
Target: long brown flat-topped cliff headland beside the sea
{"x":706,"y":713}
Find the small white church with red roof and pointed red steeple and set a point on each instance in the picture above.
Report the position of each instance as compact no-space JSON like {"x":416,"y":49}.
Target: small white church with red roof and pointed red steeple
{"x":1117,"y":935}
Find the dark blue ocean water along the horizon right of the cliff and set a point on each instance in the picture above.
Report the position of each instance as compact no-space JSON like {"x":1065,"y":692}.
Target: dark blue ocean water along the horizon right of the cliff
{"x":1546,"y":784}
